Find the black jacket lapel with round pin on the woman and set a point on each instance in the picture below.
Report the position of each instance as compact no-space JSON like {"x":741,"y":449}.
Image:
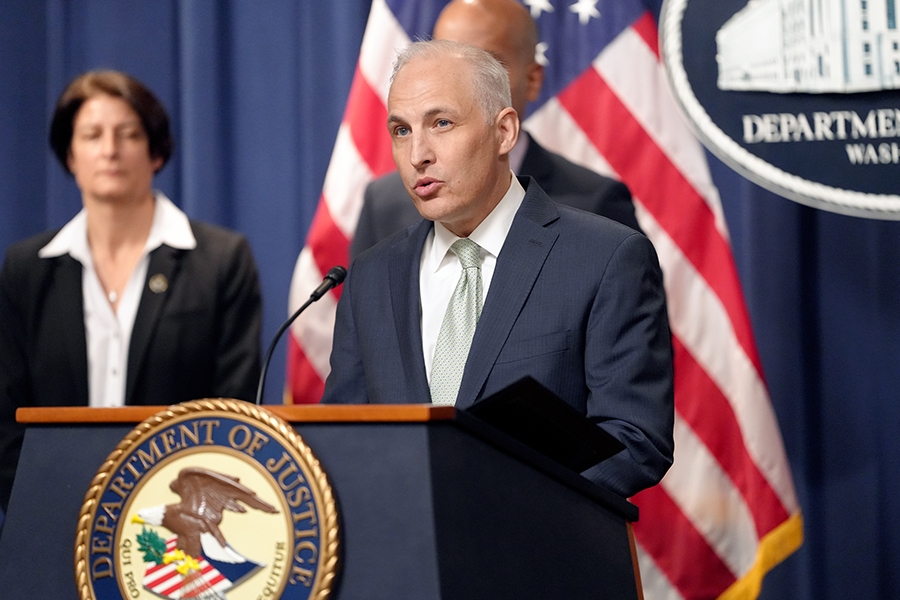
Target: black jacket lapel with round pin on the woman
{"x":165,"y":262}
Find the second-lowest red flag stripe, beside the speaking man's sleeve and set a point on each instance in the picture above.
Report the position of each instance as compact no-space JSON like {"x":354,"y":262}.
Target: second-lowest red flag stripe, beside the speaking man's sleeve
{"x":714,"y":422}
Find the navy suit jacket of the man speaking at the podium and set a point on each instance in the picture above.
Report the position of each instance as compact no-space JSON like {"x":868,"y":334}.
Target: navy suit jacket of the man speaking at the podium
{"x":576,"y":301}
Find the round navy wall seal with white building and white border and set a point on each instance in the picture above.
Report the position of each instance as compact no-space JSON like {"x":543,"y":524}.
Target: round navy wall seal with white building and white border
{"x":798,"y":96}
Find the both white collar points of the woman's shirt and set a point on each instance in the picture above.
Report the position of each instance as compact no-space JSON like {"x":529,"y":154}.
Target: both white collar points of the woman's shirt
{"x":170,"y":227}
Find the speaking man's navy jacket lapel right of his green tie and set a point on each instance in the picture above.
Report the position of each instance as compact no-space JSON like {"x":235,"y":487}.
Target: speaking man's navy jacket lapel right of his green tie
{"x":520,"y":262}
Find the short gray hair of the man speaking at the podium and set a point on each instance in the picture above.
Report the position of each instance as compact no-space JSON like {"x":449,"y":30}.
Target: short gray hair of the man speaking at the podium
{"x":489,"y":76}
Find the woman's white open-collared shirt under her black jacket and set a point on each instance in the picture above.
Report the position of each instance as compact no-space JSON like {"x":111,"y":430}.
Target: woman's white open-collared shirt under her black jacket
{"x":108,"y":332}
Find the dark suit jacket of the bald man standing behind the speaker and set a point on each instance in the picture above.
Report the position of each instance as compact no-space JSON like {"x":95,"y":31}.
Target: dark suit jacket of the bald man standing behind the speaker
{"x":387,"y":207}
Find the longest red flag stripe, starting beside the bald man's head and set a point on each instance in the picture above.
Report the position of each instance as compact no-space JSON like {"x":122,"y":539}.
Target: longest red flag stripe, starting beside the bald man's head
{"x":663,"y":190}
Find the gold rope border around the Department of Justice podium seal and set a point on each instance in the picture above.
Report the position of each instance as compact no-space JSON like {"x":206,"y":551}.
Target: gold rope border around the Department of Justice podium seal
{"x":328,"y":553}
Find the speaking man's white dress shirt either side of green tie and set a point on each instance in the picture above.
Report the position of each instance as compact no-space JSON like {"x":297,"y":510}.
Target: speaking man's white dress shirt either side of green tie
{"x":439,"y":269}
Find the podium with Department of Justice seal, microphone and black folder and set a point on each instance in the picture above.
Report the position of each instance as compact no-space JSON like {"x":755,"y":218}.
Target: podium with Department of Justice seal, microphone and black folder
{"x":221,"y":498}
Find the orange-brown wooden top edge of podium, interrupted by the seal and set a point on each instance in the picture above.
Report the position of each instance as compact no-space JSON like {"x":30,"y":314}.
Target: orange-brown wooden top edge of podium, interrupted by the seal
{"x":317,"y":413}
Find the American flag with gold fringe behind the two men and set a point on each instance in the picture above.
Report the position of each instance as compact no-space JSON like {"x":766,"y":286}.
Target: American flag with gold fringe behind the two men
{"x":726,"y":512}
